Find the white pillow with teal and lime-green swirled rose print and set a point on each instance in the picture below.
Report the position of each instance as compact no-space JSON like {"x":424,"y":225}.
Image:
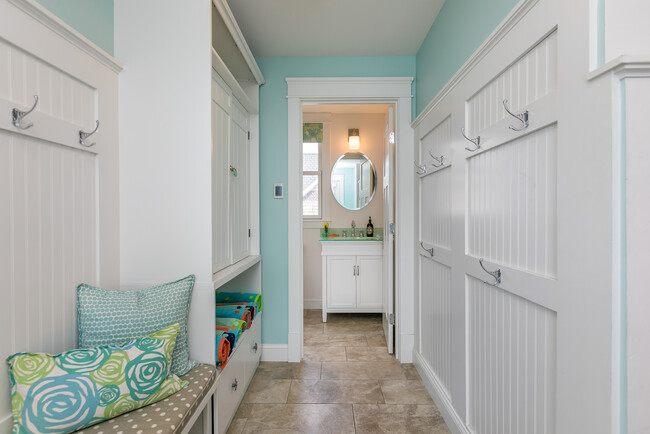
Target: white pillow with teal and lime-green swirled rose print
{"x":79,"y":388}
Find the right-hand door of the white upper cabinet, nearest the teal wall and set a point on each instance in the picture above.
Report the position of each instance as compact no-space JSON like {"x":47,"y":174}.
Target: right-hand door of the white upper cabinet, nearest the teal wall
{"x":239,"y":182}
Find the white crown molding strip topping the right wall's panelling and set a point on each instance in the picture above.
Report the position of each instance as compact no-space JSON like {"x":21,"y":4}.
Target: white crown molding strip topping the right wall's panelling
{"x":515,"y":15}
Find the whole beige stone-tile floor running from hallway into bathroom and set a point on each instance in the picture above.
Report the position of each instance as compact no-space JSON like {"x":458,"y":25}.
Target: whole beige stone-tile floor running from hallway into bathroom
{"x":346,"y":383}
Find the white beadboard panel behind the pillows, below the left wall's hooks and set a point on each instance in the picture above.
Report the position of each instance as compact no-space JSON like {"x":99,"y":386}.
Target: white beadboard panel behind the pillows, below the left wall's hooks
{"x":49,"y":241}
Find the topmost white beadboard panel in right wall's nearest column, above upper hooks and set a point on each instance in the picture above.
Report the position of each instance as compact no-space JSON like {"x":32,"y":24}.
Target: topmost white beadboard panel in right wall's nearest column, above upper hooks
{"x":531,"y":77}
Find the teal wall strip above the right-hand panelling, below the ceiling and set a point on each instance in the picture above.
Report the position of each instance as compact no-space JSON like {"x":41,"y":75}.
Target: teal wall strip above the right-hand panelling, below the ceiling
{"x":460,"y":28}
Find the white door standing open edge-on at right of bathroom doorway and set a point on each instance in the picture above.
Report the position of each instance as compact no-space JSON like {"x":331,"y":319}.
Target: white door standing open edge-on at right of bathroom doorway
{"x":388,"y":291}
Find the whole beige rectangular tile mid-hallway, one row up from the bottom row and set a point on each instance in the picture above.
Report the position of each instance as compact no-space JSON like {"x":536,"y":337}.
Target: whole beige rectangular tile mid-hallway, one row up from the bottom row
{"x":335,"y":392}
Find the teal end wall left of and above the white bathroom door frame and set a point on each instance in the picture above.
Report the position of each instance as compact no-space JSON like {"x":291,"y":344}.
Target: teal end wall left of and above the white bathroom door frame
{"x":273,"y":165}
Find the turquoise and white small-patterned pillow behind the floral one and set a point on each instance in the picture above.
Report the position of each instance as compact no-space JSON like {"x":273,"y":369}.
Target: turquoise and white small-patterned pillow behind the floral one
{"x":111,"y":317}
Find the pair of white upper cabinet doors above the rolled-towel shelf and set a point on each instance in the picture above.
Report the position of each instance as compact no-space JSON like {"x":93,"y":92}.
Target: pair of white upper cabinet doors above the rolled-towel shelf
{"x":230,"y":176}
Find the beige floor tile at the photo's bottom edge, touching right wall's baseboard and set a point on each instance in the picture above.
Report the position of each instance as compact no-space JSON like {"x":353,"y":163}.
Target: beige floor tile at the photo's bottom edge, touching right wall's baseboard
{"x":403,"y":419}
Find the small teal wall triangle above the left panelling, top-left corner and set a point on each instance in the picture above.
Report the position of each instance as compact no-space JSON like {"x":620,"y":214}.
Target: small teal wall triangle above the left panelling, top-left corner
{"x":91,"y":18}
